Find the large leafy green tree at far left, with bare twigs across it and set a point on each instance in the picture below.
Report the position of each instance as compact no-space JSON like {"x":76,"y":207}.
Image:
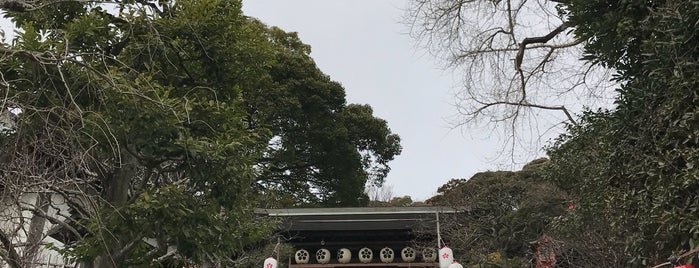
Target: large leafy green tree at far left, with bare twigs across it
{"x":129,"y":118}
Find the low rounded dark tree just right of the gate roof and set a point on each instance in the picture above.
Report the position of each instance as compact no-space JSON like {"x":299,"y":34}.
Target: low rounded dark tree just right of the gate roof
{"x":504,"y":212}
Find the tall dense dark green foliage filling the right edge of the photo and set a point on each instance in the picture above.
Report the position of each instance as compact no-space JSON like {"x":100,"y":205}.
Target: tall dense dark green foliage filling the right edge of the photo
{"x":633,"y":169}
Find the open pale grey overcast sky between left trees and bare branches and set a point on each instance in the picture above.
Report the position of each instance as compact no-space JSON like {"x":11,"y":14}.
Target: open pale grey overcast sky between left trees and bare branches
{"x":364,"y":46}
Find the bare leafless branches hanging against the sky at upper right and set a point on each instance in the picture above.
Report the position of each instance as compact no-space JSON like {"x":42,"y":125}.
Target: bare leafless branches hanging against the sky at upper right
{"x":519,"y":61}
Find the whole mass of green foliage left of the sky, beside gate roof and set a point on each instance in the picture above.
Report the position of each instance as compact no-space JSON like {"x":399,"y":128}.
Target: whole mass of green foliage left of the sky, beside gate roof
{"x":163,"y":123}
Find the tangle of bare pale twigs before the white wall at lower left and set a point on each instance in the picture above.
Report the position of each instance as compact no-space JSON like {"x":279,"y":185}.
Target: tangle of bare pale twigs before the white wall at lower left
{"x":44,"y":185}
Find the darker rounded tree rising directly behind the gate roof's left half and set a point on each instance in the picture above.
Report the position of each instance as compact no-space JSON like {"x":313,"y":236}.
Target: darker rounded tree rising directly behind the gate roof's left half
{"x":322,"y":150}
